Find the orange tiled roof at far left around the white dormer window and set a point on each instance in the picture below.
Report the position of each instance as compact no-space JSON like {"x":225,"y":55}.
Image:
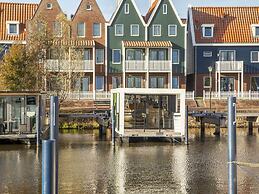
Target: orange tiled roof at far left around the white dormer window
{"x":20,"y":12}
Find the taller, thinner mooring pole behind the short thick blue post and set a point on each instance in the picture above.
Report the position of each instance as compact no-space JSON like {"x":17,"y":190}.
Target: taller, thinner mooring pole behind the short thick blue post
{"x":54,"y":130}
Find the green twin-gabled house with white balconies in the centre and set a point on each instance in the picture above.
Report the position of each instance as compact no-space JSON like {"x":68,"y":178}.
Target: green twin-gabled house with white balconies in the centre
{"x":146,"y":52}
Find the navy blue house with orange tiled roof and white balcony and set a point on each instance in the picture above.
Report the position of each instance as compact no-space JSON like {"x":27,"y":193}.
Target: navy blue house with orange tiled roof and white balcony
{"x":223,"y":49}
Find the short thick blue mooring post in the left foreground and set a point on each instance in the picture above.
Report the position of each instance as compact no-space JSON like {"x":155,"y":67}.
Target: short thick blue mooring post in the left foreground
{"x":48,"y":166}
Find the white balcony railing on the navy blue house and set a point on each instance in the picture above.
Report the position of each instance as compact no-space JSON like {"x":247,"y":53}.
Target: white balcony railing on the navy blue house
{"x":229,"y":66}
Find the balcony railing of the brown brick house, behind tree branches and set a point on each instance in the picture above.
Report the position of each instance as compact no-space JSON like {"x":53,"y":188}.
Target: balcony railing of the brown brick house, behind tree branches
{"x":65,"y":65}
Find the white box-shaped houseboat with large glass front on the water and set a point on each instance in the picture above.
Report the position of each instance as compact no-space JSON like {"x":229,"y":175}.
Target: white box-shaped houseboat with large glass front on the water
{"x":148,"y":112}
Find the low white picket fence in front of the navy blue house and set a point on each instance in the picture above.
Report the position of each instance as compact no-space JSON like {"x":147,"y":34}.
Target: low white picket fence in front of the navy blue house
{"x":246,"y":95}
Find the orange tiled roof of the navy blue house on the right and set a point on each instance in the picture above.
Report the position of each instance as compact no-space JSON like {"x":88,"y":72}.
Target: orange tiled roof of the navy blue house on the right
{"x":231,"y":24}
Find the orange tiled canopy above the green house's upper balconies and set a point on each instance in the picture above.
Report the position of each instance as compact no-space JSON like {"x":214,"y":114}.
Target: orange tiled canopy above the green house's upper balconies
{"x":147,"y":44}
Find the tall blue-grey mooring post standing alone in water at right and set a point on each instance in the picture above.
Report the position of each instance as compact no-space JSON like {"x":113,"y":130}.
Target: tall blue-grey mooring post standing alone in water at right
{"x":232,"y":150}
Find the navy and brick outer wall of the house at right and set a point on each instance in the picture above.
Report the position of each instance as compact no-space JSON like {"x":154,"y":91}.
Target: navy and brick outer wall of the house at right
{"x":242,"y":53}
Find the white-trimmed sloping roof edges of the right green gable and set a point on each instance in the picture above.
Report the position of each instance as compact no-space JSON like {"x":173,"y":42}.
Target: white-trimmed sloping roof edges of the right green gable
{"x":153,"y":9}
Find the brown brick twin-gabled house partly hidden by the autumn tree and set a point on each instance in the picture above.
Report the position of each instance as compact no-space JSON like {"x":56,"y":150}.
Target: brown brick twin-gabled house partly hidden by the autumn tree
{"x":86,"y":39}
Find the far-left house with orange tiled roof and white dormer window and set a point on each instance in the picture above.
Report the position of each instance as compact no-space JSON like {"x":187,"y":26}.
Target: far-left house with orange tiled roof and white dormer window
{"x":13,"y":26}
